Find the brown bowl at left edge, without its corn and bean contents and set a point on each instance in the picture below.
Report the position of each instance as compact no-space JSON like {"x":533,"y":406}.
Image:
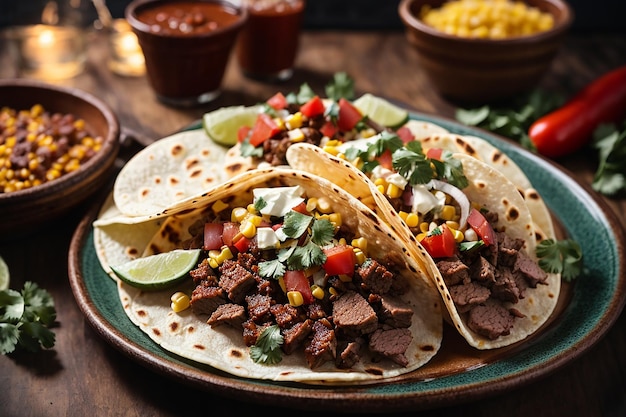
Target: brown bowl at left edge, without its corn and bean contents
{"x":22,"y":211}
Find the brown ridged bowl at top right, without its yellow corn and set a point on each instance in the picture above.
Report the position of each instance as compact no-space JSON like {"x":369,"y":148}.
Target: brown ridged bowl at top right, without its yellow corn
{"x":475,"y":70}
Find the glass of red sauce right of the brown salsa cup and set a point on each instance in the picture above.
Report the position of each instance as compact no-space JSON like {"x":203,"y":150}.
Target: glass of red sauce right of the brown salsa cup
{"x":268,"y":44}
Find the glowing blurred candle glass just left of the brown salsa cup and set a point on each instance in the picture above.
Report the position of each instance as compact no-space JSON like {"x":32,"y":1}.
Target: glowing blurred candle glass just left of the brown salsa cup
{"x":125,"y":57}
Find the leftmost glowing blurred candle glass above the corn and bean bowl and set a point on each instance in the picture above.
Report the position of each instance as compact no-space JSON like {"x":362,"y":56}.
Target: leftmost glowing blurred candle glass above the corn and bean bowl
{"x":48,"y":52}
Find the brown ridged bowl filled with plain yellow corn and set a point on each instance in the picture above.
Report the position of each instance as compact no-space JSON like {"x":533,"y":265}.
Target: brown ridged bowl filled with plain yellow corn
{"x":477,"y":51}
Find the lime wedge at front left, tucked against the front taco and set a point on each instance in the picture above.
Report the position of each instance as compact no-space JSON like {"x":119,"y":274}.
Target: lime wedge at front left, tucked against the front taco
{"x":158,"y":271}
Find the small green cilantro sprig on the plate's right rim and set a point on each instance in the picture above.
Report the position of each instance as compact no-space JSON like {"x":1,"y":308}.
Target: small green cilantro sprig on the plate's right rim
{"x":560,"y":257}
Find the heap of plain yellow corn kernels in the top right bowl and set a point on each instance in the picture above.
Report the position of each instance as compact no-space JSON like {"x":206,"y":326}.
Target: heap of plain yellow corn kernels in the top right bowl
{"x":493,"y":19}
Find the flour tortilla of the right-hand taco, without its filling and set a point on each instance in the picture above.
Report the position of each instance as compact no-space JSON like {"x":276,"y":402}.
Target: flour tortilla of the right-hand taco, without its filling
{"x":492,"y":190}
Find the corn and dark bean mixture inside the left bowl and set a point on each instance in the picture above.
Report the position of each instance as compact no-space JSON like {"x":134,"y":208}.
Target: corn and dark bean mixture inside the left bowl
{"x":37,"y":146}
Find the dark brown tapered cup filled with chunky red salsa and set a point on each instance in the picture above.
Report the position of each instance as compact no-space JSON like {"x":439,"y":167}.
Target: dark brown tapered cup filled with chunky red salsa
{"x":186,"y":46}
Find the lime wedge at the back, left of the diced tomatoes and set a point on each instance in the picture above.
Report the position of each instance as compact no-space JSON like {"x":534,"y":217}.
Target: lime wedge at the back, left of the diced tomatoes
{"x":221,"y":125}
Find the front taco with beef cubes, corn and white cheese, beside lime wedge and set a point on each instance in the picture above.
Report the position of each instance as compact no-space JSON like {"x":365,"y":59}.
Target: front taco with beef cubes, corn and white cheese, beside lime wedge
{"x":377,"y":316}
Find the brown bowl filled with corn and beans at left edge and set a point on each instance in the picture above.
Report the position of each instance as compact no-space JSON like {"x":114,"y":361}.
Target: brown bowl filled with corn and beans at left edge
{"x":58,"y":147}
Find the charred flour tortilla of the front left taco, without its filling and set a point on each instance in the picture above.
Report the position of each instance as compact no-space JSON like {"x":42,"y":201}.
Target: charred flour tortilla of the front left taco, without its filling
{"x":185,"y":334}
